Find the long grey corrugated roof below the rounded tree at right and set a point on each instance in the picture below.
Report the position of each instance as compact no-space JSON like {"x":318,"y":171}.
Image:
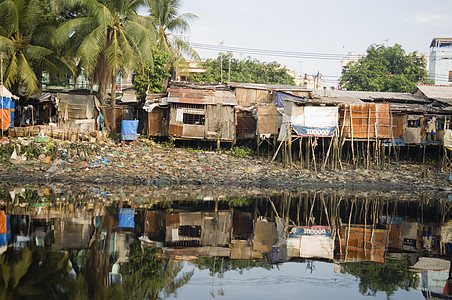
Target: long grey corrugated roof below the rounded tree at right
{"x":369,"y":96}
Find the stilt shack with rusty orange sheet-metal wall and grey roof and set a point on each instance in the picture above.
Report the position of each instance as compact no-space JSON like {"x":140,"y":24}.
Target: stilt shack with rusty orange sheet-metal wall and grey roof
{"x":379,"y":112}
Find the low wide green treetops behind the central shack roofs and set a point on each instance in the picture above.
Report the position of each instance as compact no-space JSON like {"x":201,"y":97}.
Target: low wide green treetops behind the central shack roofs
{"x":246,"y":70}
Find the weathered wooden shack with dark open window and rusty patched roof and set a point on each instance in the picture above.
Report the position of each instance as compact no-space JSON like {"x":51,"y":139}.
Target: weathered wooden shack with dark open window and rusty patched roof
{"x":201,"y":112}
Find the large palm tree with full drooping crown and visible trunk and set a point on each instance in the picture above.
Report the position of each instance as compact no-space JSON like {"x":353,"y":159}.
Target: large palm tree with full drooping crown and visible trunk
{"x":109,"y":38}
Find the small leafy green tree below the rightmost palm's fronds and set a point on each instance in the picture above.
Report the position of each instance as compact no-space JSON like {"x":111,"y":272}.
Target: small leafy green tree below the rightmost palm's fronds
{"x":152,"y":78}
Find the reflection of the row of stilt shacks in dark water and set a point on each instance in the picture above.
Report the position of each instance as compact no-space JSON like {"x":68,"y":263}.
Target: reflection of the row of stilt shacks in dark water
{"x":306,"y":225}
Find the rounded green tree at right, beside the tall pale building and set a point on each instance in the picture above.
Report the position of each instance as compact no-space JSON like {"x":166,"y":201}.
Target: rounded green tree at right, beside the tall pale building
{"x":385,"y":69}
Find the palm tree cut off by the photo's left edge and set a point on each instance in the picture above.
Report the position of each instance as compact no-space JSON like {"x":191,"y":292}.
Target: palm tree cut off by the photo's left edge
{"x":24,"y":38}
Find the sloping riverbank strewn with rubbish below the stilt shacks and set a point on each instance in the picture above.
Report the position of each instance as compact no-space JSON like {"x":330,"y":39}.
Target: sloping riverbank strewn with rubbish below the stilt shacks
{"x":162,"y":167}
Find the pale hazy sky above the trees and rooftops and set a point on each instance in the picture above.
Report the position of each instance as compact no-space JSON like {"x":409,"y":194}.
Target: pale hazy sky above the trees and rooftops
{"x":313,"y":29}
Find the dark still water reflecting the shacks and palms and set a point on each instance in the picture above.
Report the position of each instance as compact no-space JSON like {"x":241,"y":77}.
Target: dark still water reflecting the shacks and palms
{"x":91,"y":243}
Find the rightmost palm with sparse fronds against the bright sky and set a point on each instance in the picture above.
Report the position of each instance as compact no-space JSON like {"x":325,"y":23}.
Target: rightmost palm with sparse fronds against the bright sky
{"x":167,"y":22}
